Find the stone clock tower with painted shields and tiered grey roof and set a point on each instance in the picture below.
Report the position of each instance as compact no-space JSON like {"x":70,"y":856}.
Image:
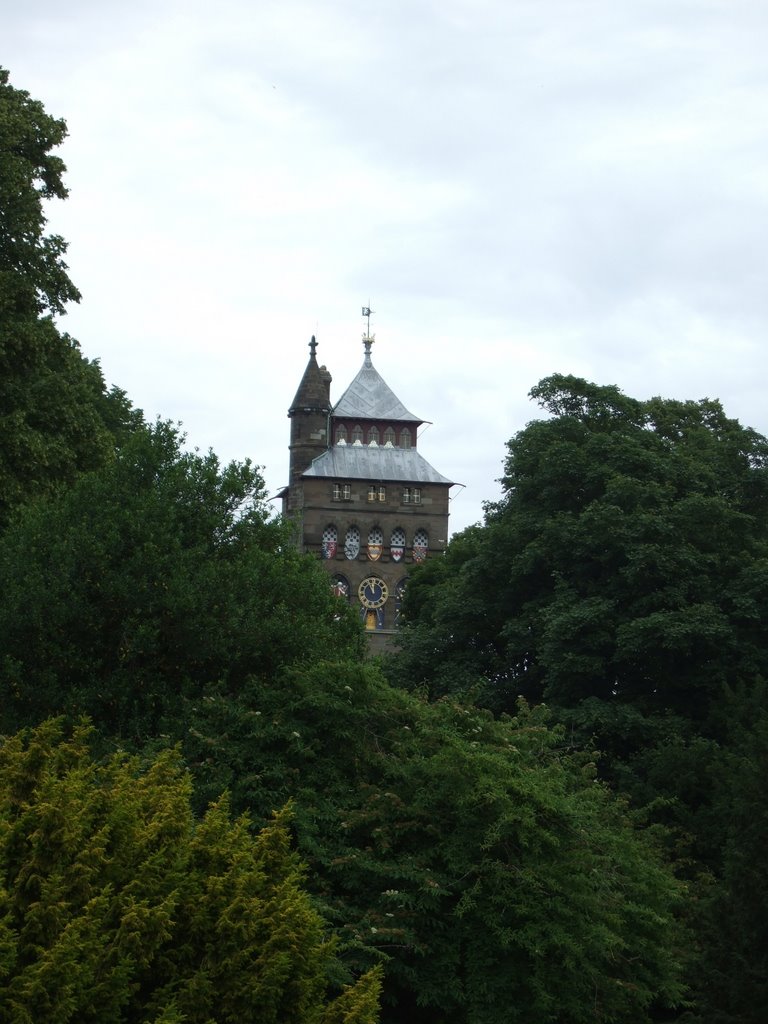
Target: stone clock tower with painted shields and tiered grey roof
{"x":364,"y":498}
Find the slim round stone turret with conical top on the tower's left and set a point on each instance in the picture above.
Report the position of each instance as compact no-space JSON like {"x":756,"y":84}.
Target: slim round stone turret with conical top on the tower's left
{"x":310,"y":415}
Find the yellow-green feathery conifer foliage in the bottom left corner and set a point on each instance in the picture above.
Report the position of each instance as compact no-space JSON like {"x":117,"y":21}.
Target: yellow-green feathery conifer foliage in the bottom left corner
{"x":116,"y":907}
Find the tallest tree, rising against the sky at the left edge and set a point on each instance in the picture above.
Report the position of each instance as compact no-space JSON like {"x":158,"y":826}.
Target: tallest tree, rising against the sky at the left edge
{"x":57,"y":417}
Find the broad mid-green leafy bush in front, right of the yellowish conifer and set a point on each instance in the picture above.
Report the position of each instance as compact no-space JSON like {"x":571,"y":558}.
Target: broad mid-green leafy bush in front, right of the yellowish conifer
{"x":490,"y":872}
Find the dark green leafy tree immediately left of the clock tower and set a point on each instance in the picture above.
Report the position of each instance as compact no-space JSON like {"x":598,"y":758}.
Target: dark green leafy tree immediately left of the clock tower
{"x":146,"y":582}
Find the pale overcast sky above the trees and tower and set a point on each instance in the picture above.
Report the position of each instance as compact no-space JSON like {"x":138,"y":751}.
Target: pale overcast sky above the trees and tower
{"x":518,"y":188}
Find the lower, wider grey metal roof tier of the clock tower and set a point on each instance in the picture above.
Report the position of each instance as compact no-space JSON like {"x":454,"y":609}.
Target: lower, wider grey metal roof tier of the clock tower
{"x":359,"y":462}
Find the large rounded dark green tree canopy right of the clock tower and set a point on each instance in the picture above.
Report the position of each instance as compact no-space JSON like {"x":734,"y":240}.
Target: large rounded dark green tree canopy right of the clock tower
{"x":628,"y":562}
